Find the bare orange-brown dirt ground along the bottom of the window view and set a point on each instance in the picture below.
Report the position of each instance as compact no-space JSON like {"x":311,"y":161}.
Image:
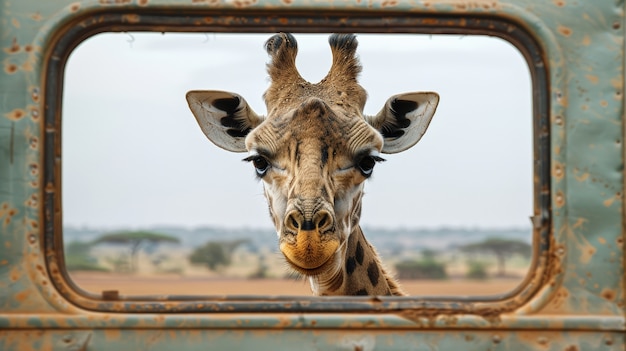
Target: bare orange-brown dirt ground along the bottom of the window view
{"x":176,"y":285}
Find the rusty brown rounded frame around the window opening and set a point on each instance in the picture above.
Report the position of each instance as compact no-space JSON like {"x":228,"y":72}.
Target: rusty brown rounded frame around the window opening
{"x":78,"y":29}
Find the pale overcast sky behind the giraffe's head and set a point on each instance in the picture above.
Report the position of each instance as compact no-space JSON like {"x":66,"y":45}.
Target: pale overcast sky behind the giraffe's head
{"x":133,"y":155}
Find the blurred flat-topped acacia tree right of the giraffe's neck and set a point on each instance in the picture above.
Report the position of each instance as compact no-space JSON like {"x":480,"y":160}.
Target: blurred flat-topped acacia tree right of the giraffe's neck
{"x":501,"y":248}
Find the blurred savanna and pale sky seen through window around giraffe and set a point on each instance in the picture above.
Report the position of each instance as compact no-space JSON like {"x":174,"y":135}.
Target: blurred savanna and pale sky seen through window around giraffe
{"x":150,"y":206}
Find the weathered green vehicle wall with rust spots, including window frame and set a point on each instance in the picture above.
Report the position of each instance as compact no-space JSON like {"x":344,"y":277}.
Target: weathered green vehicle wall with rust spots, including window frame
{"x":572,"y":300}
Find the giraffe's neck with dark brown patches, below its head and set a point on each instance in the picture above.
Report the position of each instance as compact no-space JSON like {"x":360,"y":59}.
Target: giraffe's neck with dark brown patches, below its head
{"x":361,"y":273}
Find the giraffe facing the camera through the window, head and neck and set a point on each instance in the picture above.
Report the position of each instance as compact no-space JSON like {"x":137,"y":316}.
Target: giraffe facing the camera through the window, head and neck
{"x":313,"y":151}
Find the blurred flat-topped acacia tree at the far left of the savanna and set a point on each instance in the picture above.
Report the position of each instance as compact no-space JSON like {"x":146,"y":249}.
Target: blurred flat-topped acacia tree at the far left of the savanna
{"x":136,"y":240}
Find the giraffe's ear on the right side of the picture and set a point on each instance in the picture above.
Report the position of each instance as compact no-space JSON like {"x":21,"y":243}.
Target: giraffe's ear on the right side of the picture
{"x":404,"y":119}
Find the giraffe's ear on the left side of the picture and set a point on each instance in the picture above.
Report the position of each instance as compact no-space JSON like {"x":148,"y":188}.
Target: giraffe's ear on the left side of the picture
{"x":225,"y":118}
